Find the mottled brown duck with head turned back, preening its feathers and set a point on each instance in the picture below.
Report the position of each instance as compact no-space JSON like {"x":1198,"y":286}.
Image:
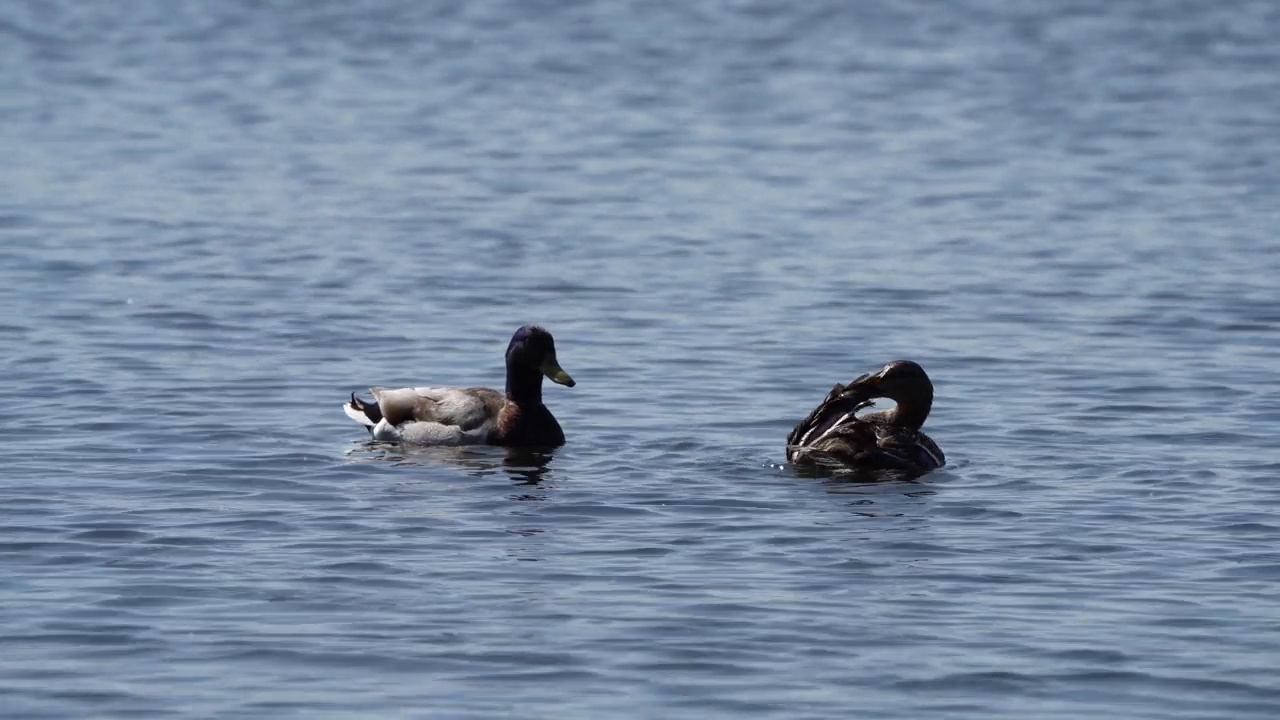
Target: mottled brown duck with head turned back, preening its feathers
{"x":889,"y":440}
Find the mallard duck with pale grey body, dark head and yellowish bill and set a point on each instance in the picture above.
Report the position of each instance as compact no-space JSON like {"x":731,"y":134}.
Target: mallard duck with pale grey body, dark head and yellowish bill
{"x":474,"y":416}
